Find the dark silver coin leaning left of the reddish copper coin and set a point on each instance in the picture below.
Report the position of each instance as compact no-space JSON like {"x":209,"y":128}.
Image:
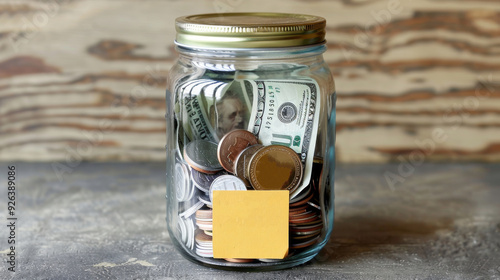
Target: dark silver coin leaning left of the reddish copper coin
{"x":201,"y":155}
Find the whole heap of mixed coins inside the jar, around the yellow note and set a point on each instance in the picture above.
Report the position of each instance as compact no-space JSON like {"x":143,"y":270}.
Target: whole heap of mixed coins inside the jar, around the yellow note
{"x":239,"y":162}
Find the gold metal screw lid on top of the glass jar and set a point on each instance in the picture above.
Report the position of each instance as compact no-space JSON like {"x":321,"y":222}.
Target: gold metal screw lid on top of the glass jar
{"x":249,"y":30}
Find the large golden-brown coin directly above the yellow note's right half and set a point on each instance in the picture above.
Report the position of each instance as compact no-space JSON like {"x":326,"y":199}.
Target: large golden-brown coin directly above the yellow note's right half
{"x":275,"y":167}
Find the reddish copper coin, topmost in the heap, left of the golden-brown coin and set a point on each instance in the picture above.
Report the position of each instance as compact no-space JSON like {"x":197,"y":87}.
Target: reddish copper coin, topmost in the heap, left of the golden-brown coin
{"x":232,"y":144}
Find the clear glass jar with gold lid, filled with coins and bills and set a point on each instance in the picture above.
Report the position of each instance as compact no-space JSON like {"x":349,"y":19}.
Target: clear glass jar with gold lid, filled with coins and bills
{"x":258,"y":84}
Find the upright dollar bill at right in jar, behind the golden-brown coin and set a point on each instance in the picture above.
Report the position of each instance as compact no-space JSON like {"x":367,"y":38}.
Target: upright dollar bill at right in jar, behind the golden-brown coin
{"x":286,"y":112}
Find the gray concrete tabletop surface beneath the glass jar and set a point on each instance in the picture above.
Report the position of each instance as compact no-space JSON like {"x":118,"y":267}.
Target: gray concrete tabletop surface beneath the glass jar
{"x":106,"y":221}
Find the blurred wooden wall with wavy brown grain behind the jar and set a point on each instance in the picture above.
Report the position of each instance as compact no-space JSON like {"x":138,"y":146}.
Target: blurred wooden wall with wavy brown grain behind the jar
{"x":85,"y":80}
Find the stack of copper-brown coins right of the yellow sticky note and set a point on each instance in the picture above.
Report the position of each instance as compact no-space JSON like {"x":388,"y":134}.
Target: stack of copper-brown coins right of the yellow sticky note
{"x":305,"y":220}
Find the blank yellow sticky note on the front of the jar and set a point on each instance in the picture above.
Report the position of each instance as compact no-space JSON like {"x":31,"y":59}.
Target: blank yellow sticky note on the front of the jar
{"x":250,"y":224}
